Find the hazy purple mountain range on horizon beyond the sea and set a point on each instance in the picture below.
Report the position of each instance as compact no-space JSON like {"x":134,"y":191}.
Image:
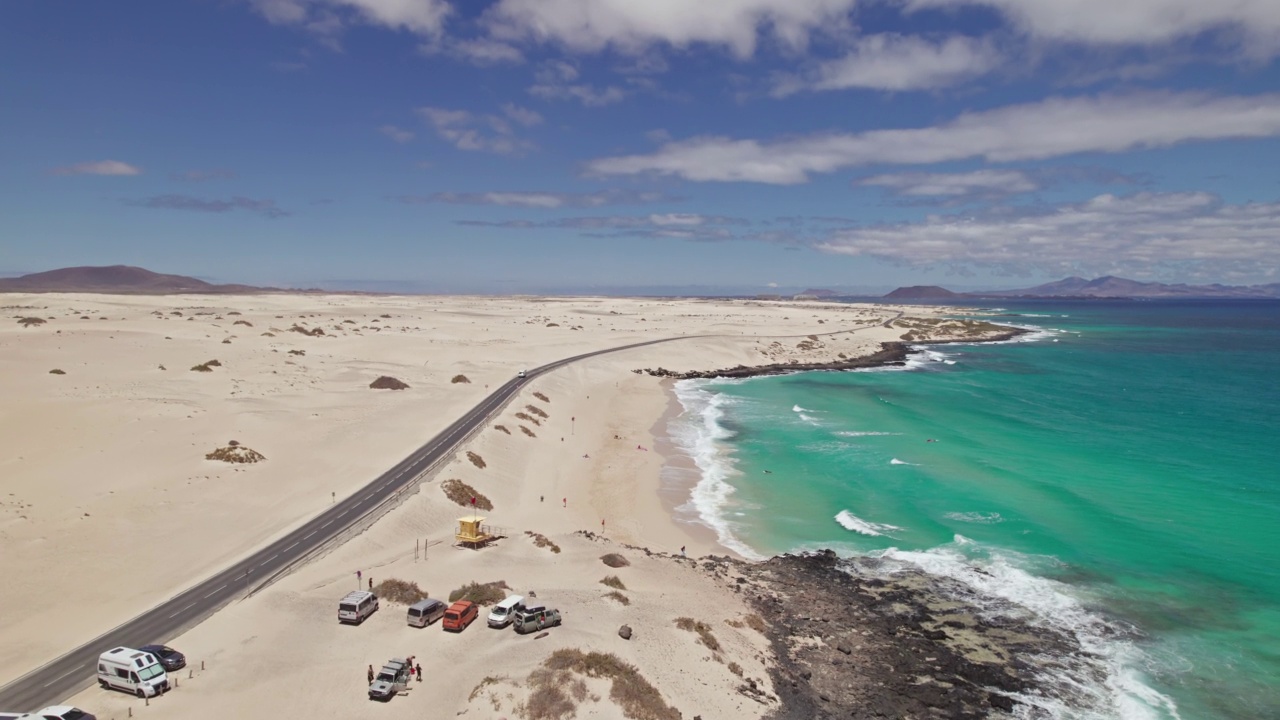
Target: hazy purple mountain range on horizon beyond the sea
{"x":1105,"y":286}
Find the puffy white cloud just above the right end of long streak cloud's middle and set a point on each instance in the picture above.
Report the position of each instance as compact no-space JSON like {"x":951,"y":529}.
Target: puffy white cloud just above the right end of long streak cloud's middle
{"x":898,"y":62}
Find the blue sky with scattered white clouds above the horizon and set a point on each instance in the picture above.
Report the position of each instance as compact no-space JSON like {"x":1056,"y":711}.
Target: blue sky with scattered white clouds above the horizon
{"x":541,"y":145}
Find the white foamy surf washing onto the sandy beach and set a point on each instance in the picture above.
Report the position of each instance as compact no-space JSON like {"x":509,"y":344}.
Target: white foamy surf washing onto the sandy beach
{"x":698,"y":432}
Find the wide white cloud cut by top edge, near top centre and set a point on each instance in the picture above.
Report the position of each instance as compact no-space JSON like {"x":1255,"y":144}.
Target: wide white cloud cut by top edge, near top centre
{"x":632,"y":28}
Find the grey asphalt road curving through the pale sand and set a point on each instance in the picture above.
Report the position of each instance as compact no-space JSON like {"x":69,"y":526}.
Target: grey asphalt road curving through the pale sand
{"x":77,"y":669}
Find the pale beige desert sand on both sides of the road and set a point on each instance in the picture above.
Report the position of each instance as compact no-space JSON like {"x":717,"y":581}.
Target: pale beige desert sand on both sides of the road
{"x":108,"y":504}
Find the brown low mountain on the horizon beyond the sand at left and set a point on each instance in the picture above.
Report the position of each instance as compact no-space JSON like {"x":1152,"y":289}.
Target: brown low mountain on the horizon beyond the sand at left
{"x":124,"y":280}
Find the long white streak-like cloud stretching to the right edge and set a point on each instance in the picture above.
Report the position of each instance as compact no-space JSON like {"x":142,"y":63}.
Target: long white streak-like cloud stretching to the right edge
{"x":1050,"y":129}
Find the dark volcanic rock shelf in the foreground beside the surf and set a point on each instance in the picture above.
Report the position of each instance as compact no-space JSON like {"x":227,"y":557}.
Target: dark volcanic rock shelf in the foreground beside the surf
{"x":881,"y":650}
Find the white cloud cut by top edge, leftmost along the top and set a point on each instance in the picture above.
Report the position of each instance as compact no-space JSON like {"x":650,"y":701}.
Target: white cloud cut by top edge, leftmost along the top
{"x":327,"y":19}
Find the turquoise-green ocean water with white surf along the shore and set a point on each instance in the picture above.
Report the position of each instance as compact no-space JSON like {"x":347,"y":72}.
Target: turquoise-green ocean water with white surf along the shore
{"x":1116,"y":475}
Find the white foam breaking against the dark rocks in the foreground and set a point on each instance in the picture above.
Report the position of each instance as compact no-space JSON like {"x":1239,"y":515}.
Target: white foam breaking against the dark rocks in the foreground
{"x":1003,"y":587}
